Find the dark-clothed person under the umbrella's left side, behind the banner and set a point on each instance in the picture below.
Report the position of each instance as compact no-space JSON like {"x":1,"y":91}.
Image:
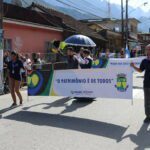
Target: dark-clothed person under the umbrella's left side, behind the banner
{"x":72,"y":60}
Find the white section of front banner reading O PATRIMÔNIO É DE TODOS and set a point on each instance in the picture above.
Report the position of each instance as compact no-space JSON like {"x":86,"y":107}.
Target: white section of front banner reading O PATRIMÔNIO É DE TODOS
{"x":105,"y":83}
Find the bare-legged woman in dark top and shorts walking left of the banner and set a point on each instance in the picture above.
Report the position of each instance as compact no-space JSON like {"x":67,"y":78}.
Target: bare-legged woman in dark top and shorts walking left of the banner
{"x":14,"y":69}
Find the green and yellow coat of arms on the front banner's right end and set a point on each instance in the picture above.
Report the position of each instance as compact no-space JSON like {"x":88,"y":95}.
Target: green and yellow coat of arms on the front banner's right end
{"x":122,"y":83}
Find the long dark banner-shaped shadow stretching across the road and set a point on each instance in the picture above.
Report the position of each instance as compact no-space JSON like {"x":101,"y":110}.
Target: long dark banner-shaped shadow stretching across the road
{"x":70,"y":123}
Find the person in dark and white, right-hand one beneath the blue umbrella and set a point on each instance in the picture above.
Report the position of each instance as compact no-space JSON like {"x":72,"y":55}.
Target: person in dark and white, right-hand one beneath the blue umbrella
{"x":87,"y":60}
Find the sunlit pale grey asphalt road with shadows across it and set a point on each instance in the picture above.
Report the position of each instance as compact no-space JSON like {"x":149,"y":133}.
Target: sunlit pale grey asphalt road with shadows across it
{"x":57,"y":123}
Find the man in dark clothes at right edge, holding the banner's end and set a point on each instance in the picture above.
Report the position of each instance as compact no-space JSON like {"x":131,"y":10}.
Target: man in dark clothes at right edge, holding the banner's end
{"x":145,"y":66}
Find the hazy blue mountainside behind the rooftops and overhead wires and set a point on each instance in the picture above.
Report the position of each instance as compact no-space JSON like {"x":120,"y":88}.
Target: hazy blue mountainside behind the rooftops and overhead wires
{"x":86,"y":9}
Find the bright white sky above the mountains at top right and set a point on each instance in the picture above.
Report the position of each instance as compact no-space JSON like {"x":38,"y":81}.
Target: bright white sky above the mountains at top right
{"x":135,"y":3}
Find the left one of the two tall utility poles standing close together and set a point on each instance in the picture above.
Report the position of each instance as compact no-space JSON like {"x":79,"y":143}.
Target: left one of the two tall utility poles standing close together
{"x":122,"y":24}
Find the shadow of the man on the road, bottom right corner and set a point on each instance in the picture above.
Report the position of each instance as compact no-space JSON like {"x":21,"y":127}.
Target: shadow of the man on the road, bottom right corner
{"x":142,"y":139}
